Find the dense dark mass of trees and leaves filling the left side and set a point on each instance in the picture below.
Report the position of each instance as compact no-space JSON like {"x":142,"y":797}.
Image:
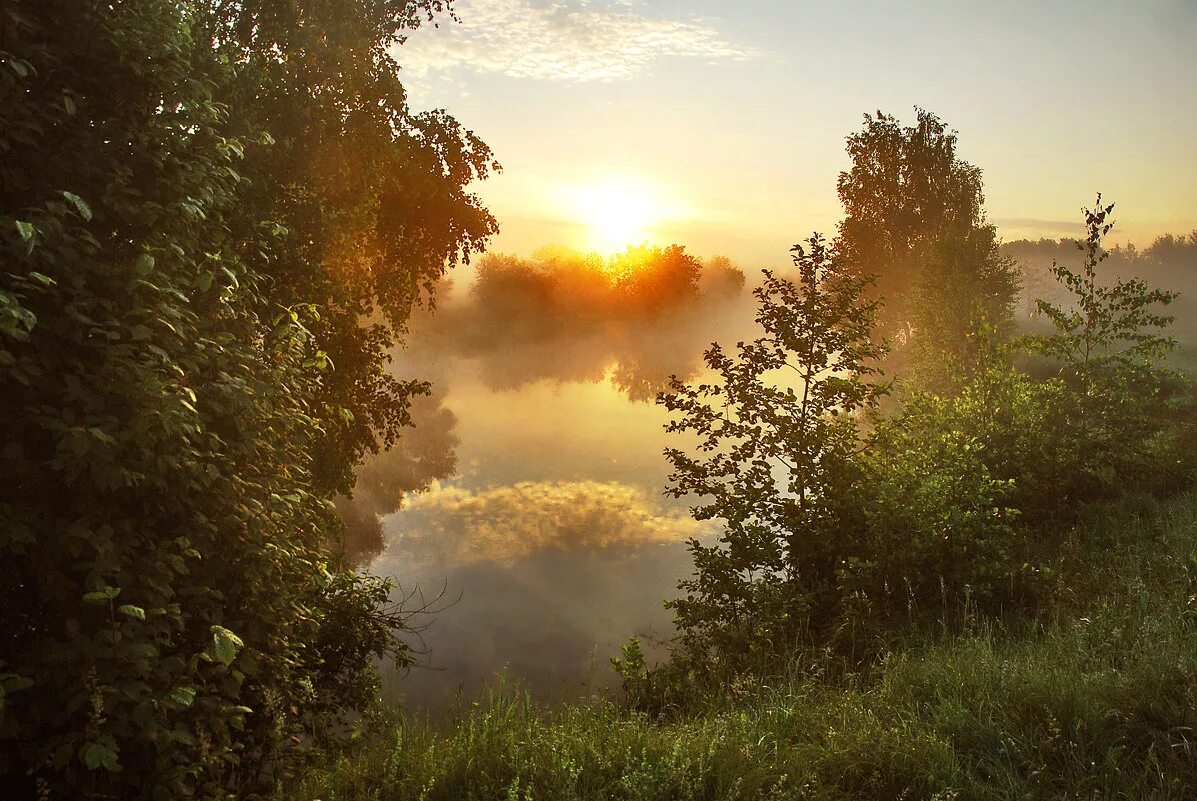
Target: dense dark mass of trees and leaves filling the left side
{"x":200,"y":205}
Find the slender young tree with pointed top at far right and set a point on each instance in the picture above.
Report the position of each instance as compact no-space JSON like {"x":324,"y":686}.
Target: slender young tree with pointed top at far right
{"x":1107,"y":344}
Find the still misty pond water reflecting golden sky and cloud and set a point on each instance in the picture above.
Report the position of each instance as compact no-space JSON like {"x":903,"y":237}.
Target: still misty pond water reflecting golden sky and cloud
{"x":550,"y":543}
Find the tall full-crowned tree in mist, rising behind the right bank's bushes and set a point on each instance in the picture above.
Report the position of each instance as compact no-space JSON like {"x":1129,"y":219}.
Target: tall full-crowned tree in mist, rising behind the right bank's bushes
{"x":914,"y":217}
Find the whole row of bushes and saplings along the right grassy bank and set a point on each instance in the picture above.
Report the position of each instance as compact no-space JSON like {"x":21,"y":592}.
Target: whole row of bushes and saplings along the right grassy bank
{"x":838,"y":533}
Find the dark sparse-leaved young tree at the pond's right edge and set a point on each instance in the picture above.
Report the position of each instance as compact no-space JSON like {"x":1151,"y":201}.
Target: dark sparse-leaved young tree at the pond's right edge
{"x":777,"y":439}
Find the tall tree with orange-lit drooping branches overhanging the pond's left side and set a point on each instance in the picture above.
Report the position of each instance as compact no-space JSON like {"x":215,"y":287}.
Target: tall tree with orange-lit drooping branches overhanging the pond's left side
{"x":379,"y":193}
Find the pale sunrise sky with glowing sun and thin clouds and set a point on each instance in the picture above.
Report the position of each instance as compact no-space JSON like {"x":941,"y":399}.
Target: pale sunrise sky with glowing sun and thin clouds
{"x":721,"y":125}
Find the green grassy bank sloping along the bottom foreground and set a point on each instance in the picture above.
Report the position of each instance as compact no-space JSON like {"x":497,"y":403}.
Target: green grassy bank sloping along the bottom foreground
{"x":1098,"y":701}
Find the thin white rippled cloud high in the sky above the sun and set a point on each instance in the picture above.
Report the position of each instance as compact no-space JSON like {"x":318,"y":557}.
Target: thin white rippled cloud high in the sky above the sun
{"x":576,"y":41}
